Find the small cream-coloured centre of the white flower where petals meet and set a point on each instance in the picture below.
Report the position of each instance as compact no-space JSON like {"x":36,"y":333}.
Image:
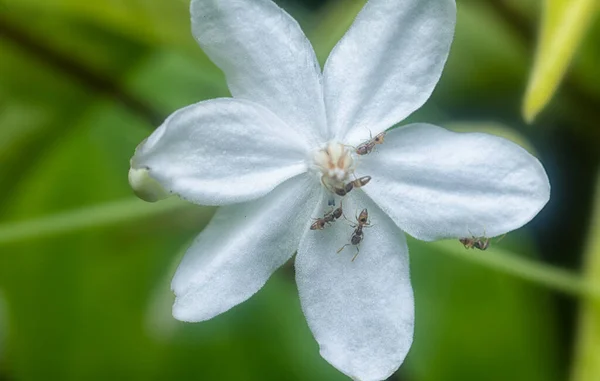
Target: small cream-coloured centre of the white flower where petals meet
{"x":335,"y":163}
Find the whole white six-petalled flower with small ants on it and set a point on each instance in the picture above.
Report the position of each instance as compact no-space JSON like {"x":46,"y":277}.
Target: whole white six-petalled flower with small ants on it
{"x":273,"y":152}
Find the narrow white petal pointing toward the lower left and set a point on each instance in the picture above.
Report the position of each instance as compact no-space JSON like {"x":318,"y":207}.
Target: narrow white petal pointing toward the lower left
{"x":239,"y":250}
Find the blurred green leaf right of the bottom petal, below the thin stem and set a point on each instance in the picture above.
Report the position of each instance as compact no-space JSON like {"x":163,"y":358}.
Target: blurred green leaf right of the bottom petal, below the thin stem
{"x":476,"y":324}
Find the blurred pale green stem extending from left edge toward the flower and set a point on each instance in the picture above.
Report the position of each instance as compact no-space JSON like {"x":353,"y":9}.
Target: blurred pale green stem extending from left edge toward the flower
{"x":99,"y":215}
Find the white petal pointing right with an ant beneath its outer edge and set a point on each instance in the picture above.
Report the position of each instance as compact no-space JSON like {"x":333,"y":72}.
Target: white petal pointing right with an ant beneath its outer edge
{"x":439,"y":184}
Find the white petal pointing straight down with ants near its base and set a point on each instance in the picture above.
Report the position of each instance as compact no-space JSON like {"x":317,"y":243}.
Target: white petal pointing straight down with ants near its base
{"x":361,"y":313}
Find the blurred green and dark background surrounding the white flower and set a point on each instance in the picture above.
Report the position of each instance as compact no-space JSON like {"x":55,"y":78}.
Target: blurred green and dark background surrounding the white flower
{"x":85,"y":267}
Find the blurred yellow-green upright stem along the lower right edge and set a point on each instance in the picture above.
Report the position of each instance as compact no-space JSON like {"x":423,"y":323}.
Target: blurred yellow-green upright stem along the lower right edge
{"x":587,"y":360}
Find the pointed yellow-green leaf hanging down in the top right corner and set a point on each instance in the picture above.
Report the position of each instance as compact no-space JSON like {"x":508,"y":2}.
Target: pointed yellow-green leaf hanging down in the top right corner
{"x":564,"y":25}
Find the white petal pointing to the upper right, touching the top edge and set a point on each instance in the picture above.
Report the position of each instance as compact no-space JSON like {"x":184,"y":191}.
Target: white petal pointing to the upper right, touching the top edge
{"x":387,"y":65}
